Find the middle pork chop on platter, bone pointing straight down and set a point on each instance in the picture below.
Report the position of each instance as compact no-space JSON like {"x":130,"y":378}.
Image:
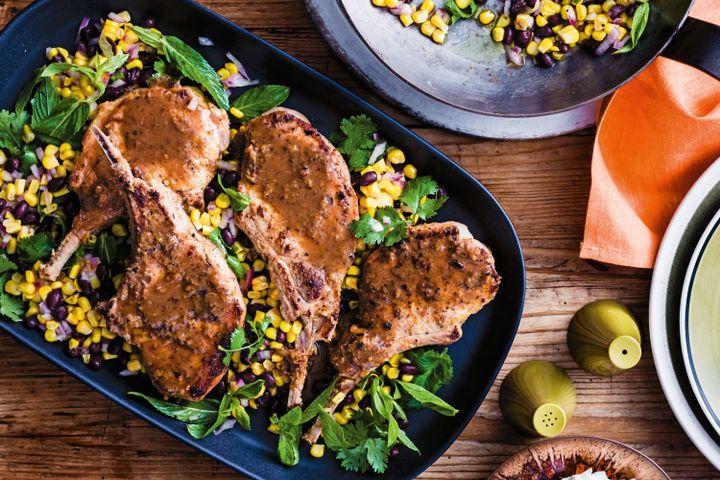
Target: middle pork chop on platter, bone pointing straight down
{"x":299,"y":221}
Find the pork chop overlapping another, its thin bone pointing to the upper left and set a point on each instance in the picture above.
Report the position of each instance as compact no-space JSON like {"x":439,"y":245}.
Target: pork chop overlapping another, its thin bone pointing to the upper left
{"x":178,"y":299}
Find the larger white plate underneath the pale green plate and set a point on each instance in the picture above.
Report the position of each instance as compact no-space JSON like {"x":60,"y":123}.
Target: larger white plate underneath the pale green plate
{"x":682,"y":236}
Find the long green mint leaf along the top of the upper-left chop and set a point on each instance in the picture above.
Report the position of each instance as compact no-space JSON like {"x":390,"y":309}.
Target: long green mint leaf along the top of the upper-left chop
{"x":188,"y":61}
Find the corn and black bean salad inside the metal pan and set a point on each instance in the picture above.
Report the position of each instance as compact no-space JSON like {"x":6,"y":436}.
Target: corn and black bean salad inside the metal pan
{"x":545,"y":30}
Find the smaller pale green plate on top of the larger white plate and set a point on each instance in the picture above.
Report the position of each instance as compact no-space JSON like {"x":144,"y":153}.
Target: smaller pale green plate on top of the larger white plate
{"x":700,"y":322}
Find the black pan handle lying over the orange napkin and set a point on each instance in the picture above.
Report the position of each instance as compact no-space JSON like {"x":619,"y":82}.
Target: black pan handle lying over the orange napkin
{"x":697,"y":44}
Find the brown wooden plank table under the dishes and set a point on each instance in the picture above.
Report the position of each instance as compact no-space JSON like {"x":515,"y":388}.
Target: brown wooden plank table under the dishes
{"x":52,"y":426}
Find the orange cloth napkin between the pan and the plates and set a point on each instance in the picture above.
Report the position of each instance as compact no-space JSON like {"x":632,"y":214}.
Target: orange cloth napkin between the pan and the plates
{"x":657,"y":135}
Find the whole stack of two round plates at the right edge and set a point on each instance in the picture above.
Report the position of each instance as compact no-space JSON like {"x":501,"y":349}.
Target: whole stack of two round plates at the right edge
{"x":685,"y":314}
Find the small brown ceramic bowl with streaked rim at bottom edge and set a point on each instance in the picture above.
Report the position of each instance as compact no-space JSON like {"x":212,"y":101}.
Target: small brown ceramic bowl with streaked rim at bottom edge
{"x":563,"y":457}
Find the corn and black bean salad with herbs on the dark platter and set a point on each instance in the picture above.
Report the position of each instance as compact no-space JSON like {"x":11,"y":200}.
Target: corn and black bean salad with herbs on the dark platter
{"x":39,"y":143}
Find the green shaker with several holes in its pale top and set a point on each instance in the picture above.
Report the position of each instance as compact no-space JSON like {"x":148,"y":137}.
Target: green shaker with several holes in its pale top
{"x":538,"y":398}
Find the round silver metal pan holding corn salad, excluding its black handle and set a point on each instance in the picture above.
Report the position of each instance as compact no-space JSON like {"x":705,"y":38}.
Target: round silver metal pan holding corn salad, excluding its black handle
{"x":465,"y":85}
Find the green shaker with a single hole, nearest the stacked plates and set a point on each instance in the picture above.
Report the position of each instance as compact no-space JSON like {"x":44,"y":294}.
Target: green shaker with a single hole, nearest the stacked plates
{"x":604,"y":338}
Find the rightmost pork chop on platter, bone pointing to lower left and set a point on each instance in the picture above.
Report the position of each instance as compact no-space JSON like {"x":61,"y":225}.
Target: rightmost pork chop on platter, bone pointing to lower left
{"x":416,"y":293}
